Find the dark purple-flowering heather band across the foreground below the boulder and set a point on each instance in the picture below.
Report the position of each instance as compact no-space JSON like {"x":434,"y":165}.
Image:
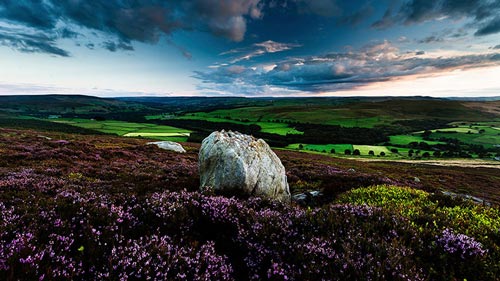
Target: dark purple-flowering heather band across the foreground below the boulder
{"x":183,"y":235}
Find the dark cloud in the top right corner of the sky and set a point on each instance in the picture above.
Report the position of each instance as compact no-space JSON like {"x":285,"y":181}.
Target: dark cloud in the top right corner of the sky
{"x":483,"y":13}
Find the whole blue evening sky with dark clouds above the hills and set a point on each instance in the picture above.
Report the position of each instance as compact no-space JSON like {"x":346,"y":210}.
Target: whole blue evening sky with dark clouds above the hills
{"x":251,"y":48}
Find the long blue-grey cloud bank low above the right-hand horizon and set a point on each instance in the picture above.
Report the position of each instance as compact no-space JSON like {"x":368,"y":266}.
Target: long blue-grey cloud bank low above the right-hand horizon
{"x":336,"y":71}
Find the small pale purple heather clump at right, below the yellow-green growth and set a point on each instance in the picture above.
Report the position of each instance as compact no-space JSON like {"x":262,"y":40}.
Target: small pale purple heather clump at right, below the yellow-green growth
{"x":460,"y":244}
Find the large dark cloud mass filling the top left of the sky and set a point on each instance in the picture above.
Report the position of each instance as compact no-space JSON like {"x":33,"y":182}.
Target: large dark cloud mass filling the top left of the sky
{"x":139,"y":20}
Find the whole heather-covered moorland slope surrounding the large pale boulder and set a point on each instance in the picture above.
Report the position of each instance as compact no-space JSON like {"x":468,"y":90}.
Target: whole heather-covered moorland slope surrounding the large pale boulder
{"x":103,"y":207}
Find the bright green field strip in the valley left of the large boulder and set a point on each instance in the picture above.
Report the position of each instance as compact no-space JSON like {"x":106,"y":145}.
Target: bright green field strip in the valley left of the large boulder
{"x":129,"y":129}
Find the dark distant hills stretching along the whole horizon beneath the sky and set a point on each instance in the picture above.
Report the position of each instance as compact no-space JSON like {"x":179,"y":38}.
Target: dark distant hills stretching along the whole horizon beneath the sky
{"x":135,"y":108}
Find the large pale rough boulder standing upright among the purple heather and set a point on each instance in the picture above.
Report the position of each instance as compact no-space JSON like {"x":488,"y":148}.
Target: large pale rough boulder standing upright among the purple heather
{"x":234,"y":163}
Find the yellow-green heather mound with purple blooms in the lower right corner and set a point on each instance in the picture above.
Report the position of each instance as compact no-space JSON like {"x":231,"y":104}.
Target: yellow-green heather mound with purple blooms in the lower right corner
{"x":461,"y":238}
